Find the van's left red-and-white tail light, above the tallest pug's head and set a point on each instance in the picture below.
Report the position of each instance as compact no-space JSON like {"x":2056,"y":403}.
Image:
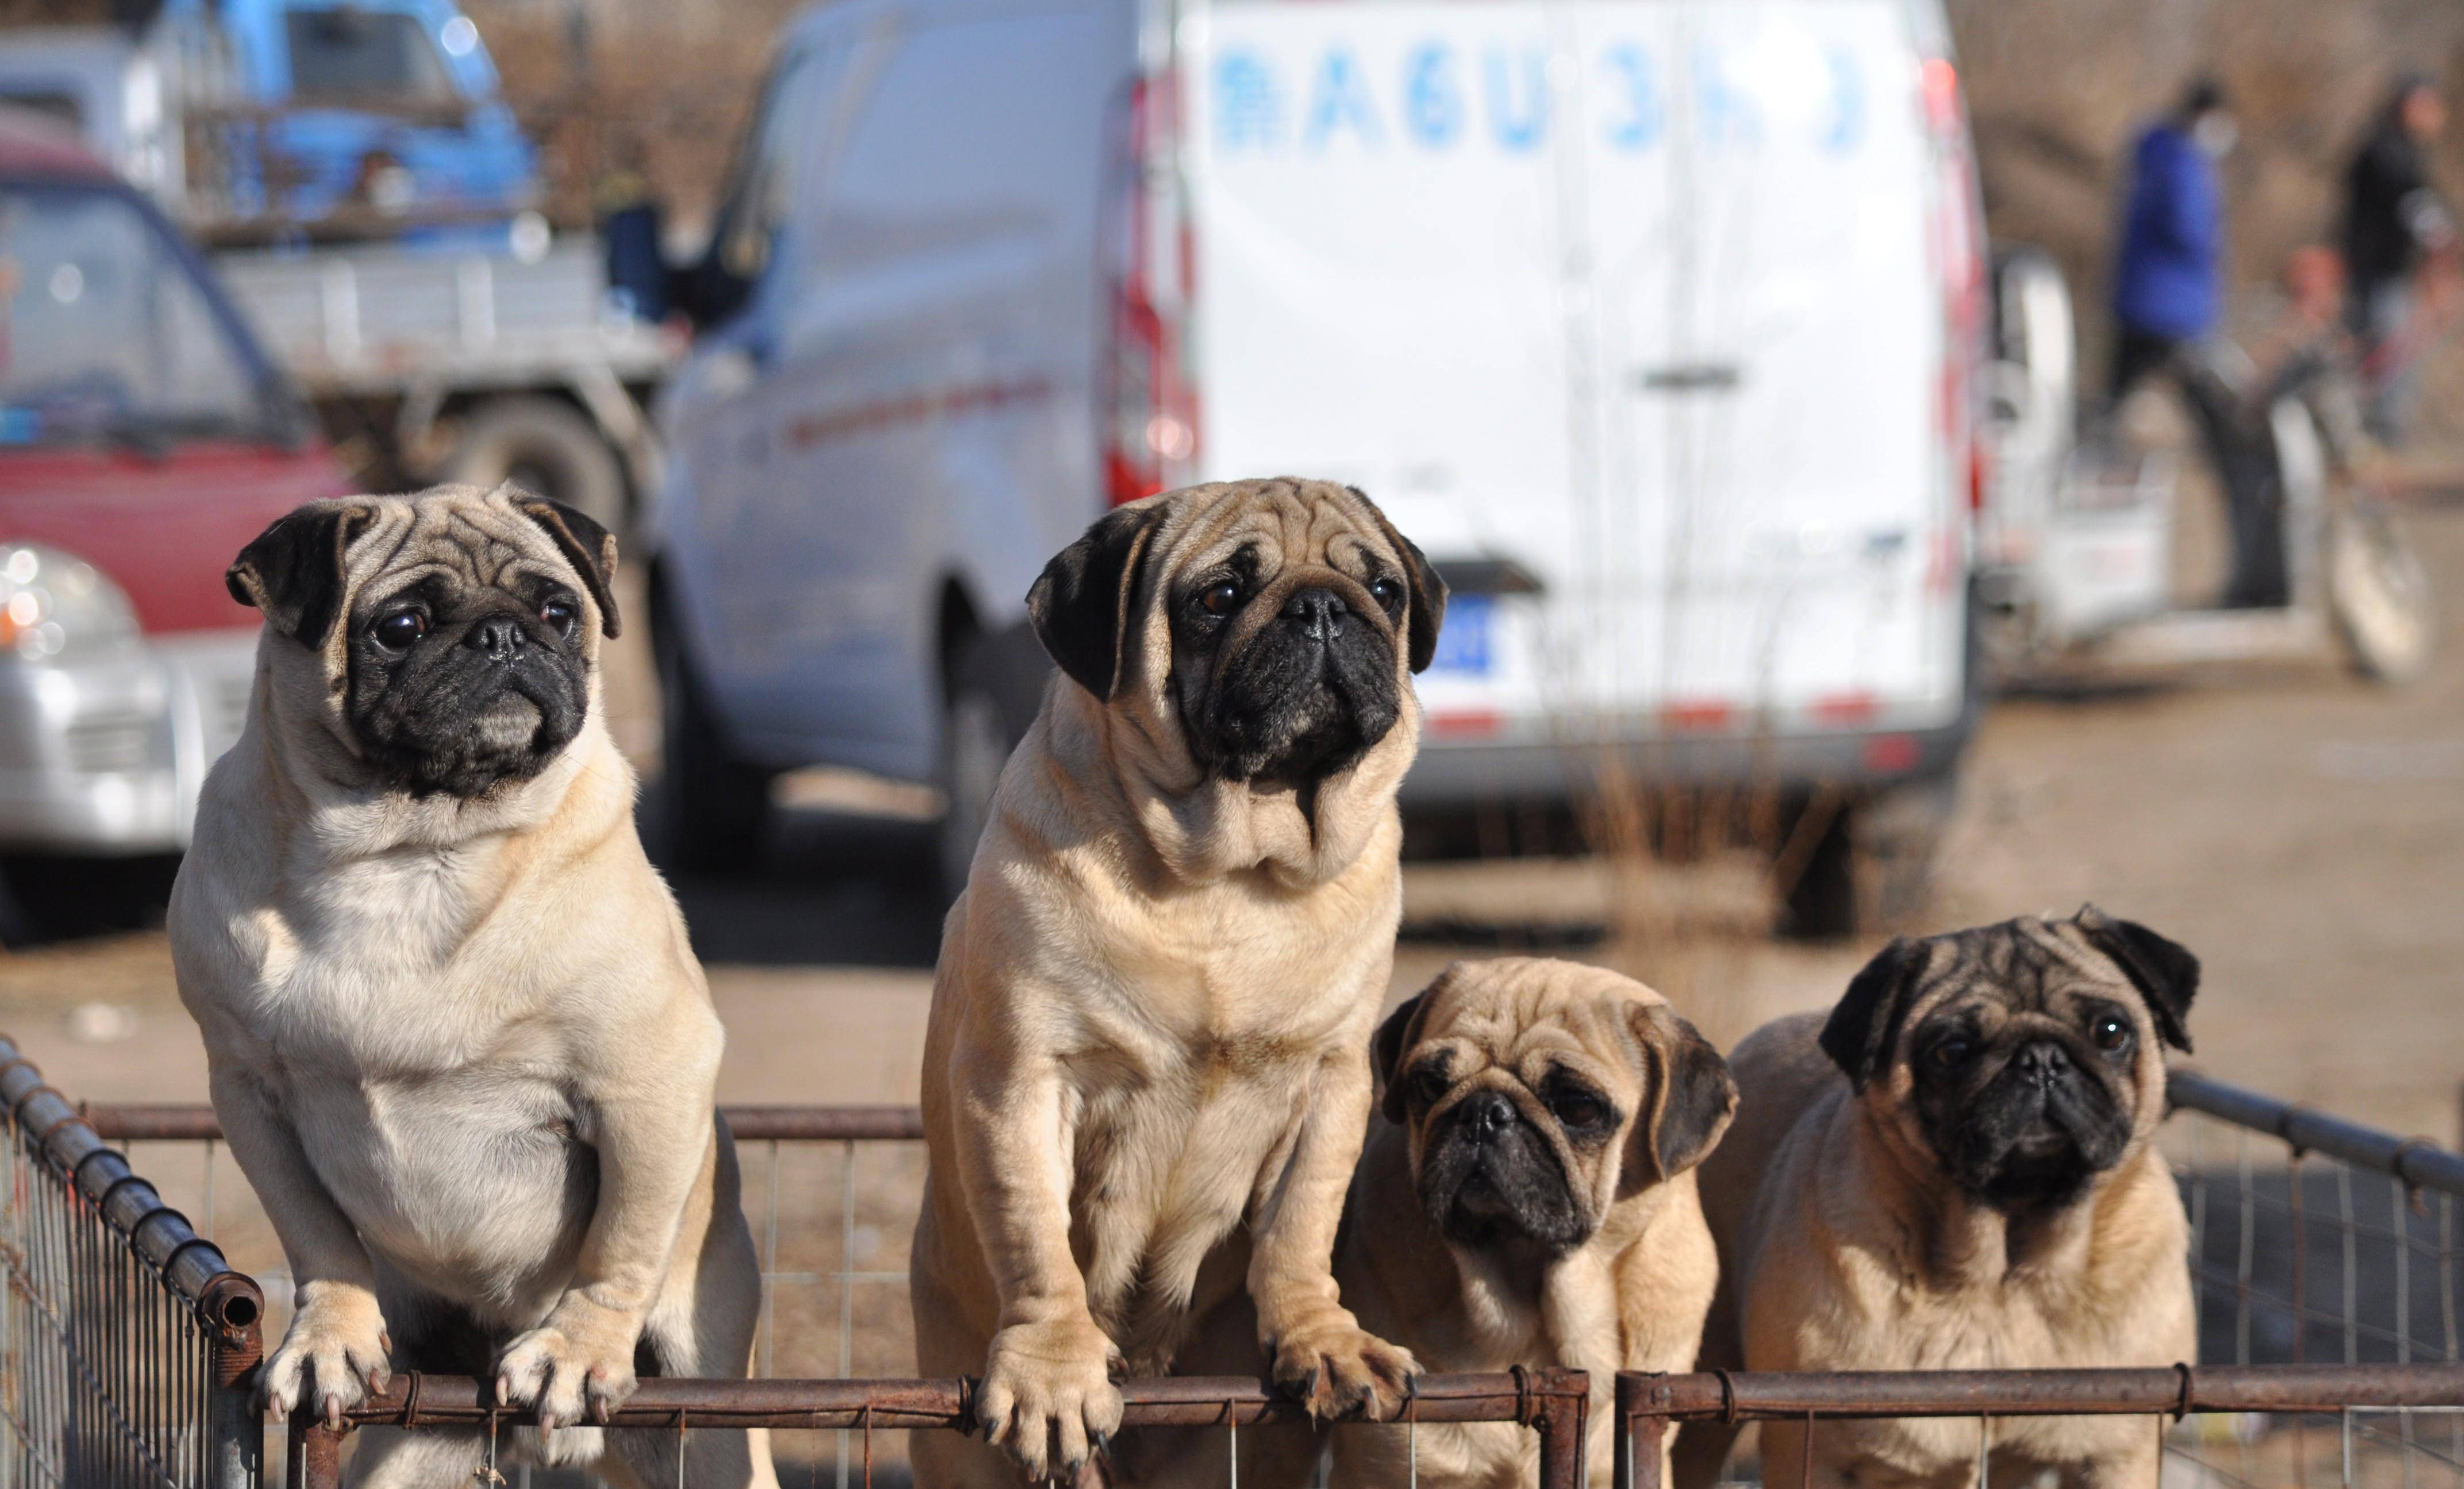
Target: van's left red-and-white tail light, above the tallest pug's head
{"x":1149,"y":398}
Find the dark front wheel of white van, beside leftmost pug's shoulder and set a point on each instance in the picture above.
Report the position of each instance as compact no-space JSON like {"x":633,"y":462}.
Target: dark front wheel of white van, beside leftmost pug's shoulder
{"x":711,"y":805}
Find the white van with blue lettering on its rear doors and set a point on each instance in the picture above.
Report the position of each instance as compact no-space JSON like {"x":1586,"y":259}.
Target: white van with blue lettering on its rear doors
{"x":1652,"y":322}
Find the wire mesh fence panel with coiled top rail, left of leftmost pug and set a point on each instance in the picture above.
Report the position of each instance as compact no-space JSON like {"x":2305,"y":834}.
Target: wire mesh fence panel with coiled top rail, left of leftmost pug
{"x":124,"y":1337}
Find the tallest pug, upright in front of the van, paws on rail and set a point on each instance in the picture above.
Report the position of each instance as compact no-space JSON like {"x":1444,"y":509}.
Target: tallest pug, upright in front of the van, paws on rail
{"x":1147,"y":1061}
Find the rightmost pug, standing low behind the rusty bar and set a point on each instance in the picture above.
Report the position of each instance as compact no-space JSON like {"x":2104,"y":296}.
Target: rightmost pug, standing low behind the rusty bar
{"x":1955,"y":1170}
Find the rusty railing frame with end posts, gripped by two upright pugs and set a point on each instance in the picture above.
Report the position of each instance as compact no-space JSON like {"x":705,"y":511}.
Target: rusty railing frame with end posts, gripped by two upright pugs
{"x":1554,"y":1404}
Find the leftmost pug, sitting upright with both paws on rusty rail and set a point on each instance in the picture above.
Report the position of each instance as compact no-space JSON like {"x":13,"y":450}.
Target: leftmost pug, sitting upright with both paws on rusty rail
{"x":457,"y":1034}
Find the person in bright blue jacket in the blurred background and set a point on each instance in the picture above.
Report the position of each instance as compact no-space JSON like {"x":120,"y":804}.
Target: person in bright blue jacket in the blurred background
{"x":2170,"y":272}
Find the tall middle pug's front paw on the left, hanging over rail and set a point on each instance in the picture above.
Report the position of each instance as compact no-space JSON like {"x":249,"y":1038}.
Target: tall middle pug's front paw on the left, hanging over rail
{"x":1048,"y":1394}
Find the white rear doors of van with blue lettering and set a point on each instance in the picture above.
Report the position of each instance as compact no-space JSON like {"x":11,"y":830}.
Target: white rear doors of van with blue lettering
{"x":1637,"y":295}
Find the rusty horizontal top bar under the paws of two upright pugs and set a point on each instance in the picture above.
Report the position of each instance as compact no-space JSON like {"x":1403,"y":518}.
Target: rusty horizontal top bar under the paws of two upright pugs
{"x":1179,"y":1401}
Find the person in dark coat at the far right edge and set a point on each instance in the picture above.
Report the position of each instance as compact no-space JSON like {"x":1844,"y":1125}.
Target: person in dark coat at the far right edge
{"x":2394,"y":226}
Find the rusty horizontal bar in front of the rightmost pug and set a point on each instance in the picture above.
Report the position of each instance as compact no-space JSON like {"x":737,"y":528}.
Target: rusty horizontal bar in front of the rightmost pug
{"x":2039,"y":1394}
